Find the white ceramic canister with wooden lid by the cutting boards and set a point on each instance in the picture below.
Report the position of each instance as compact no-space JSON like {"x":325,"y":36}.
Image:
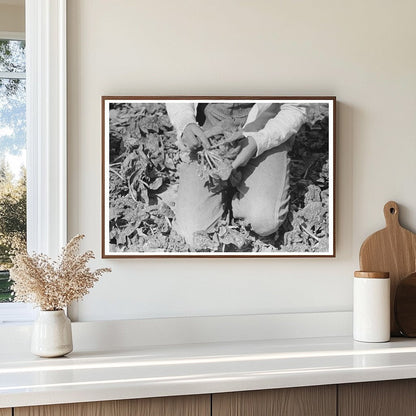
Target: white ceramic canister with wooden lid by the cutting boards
{"x":371,"y":322}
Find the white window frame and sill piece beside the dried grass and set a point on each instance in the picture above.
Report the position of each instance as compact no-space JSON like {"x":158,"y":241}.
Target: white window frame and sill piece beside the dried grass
{"x":46,"y":134}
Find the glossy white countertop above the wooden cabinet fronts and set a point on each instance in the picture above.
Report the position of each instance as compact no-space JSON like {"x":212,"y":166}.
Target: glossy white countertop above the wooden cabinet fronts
{"x":150,"y":371}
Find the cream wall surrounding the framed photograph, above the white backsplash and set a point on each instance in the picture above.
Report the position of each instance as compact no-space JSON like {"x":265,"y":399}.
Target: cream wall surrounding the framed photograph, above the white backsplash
{"x":361,"y":51}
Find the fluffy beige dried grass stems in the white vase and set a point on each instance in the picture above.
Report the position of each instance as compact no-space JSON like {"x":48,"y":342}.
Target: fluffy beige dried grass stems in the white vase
{"x":53,"y":285}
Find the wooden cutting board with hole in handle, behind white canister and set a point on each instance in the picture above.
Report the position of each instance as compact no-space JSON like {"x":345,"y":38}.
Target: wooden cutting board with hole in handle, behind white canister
{"x":392,"y":250}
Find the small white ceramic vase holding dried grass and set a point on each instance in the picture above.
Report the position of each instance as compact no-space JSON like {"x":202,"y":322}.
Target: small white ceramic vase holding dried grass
{"x":52,"y":334}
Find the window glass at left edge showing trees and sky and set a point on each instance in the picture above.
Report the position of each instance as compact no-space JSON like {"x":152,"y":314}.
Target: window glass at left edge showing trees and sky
{"x":12,"y":157}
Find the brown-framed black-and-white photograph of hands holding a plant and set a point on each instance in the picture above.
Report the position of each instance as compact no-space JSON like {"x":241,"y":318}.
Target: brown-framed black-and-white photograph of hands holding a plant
{"x":218,"y":176}
